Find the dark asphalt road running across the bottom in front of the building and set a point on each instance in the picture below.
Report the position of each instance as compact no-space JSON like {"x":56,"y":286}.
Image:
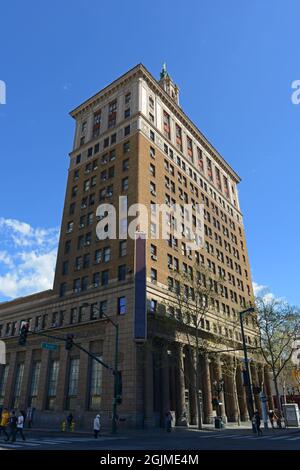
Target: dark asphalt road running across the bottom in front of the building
{"x":187,"y":439}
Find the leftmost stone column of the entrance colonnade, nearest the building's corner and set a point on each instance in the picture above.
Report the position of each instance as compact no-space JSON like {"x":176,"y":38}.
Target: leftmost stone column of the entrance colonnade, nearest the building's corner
{"x":148,"y":388}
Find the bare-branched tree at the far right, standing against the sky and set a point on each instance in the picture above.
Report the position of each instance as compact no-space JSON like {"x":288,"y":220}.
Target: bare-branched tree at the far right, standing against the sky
{"x":278,"y":326}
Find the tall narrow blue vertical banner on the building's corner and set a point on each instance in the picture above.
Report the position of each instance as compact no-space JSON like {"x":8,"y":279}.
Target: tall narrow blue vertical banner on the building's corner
{"x":140,"y":301}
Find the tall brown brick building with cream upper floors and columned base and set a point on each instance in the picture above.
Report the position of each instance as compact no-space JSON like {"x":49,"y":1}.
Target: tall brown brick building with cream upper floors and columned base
{"x":132,"y":139}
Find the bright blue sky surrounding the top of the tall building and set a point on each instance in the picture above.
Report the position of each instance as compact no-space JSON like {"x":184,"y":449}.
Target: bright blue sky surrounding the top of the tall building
{"x":234,"y":62}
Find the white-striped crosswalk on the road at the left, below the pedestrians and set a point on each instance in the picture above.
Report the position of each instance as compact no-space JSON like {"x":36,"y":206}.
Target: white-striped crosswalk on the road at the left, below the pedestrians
{"x":55,"y":441}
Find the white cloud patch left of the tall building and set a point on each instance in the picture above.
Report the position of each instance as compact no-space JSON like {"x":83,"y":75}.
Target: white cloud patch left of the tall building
{"x":28,"y":261}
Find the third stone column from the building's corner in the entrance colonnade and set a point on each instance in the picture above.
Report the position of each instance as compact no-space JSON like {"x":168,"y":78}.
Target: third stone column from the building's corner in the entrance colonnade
{"x":181,"y":419}
